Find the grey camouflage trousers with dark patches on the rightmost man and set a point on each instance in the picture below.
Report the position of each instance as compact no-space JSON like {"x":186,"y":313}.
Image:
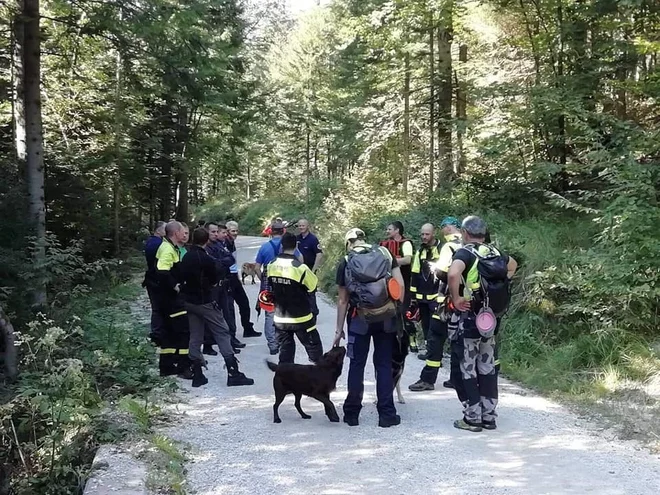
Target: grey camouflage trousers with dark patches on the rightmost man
{"x":477,"y":367}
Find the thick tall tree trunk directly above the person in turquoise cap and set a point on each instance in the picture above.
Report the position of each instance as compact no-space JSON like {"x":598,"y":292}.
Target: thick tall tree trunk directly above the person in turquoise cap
{"x":445,"y":97}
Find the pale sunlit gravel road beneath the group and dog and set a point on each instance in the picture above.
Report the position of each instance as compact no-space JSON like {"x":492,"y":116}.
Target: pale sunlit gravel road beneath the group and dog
{"x":539,"y":448}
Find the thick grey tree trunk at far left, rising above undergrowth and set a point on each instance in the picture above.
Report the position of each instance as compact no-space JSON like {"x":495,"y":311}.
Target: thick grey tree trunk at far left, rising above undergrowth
{"x":34,"y":138}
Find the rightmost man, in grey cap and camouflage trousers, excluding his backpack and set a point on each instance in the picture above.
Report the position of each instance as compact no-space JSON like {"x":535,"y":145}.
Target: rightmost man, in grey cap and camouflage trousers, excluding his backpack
{"x":476,"y":351}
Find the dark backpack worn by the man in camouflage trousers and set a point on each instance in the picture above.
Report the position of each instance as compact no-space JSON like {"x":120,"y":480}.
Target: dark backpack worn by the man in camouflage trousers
{"x":495,"y":286}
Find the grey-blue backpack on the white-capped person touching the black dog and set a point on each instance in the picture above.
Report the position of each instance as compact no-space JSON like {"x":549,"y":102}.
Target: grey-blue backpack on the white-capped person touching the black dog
{"x":368,"y":271}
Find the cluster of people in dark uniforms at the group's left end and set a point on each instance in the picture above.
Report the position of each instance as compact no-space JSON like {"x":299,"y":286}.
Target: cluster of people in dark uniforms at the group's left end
{"x":193,"y":289}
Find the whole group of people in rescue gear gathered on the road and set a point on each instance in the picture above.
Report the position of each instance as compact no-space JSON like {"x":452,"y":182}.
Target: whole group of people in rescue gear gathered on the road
{"x":456,"y":288}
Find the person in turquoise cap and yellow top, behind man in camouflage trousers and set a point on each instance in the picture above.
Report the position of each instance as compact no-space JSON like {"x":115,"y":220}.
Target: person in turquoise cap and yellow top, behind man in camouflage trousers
{"x":438,"y":325}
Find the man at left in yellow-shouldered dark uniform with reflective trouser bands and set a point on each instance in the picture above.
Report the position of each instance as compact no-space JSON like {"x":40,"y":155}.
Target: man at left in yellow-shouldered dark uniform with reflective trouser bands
{"x":175,"y":337}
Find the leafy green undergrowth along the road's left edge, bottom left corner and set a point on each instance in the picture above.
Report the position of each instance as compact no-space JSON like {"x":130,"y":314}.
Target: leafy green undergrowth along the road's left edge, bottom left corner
{"x":88,"y":376}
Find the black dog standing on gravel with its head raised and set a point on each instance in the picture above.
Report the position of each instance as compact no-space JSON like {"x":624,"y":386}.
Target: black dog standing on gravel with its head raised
{"x":315,"y":381}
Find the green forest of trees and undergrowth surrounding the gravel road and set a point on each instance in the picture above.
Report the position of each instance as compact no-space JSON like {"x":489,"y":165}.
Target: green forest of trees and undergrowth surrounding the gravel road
{"x":540,"y":115}
